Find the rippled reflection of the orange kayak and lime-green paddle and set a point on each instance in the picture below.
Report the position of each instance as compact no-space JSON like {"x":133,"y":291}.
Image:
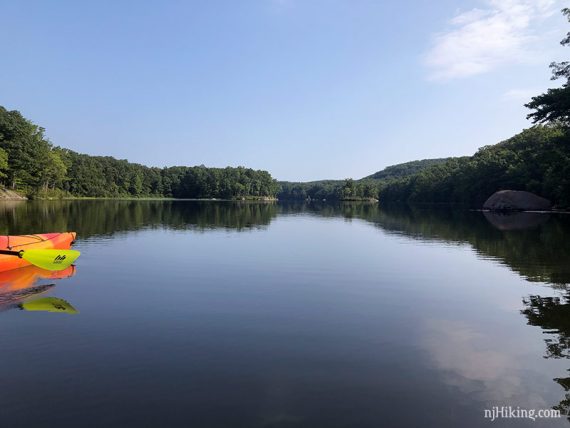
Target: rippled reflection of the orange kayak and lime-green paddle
{"x":18,"y":290}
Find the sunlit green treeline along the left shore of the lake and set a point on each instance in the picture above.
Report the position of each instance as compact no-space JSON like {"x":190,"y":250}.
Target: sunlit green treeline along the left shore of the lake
{"x":29,"y":163}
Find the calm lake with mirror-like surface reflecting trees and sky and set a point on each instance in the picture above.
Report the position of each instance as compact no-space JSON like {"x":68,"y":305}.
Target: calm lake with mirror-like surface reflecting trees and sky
{"x":220,"y":314}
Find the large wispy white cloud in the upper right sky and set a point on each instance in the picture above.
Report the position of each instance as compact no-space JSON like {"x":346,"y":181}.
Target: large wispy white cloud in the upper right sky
{"x":480,"y":40}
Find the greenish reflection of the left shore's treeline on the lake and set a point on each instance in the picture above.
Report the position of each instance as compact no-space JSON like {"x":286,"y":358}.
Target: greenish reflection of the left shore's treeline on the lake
{"x":106,"y":217}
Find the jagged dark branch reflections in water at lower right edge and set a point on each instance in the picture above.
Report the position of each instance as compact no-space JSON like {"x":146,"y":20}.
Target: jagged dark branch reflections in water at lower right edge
{"x":552,"y":314}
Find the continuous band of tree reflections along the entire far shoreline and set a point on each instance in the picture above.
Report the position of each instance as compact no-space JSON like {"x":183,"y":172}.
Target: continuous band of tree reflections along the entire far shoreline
{"x":538,"y":253}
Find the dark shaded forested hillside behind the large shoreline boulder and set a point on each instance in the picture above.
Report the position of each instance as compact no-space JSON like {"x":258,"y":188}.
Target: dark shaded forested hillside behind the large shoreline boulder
{"x":536,"y":160}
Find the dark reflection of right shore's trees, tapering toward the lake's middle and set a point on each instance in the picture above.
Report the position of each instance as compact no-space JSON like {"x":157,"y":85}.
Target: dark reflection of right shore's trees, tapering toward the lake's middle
{"x":536,"y":248}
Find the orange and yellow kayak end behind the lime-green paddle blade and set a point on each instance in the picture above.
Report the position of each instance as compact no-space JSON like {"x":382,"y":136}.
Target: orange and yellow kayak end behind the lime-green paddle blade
{"x":44,"y":241}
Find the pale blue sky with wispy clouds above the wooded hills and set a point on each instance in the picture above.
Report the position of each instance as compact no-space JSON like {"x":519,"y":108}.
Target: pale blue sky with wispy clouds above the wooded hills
{"x":306,"y":89}
